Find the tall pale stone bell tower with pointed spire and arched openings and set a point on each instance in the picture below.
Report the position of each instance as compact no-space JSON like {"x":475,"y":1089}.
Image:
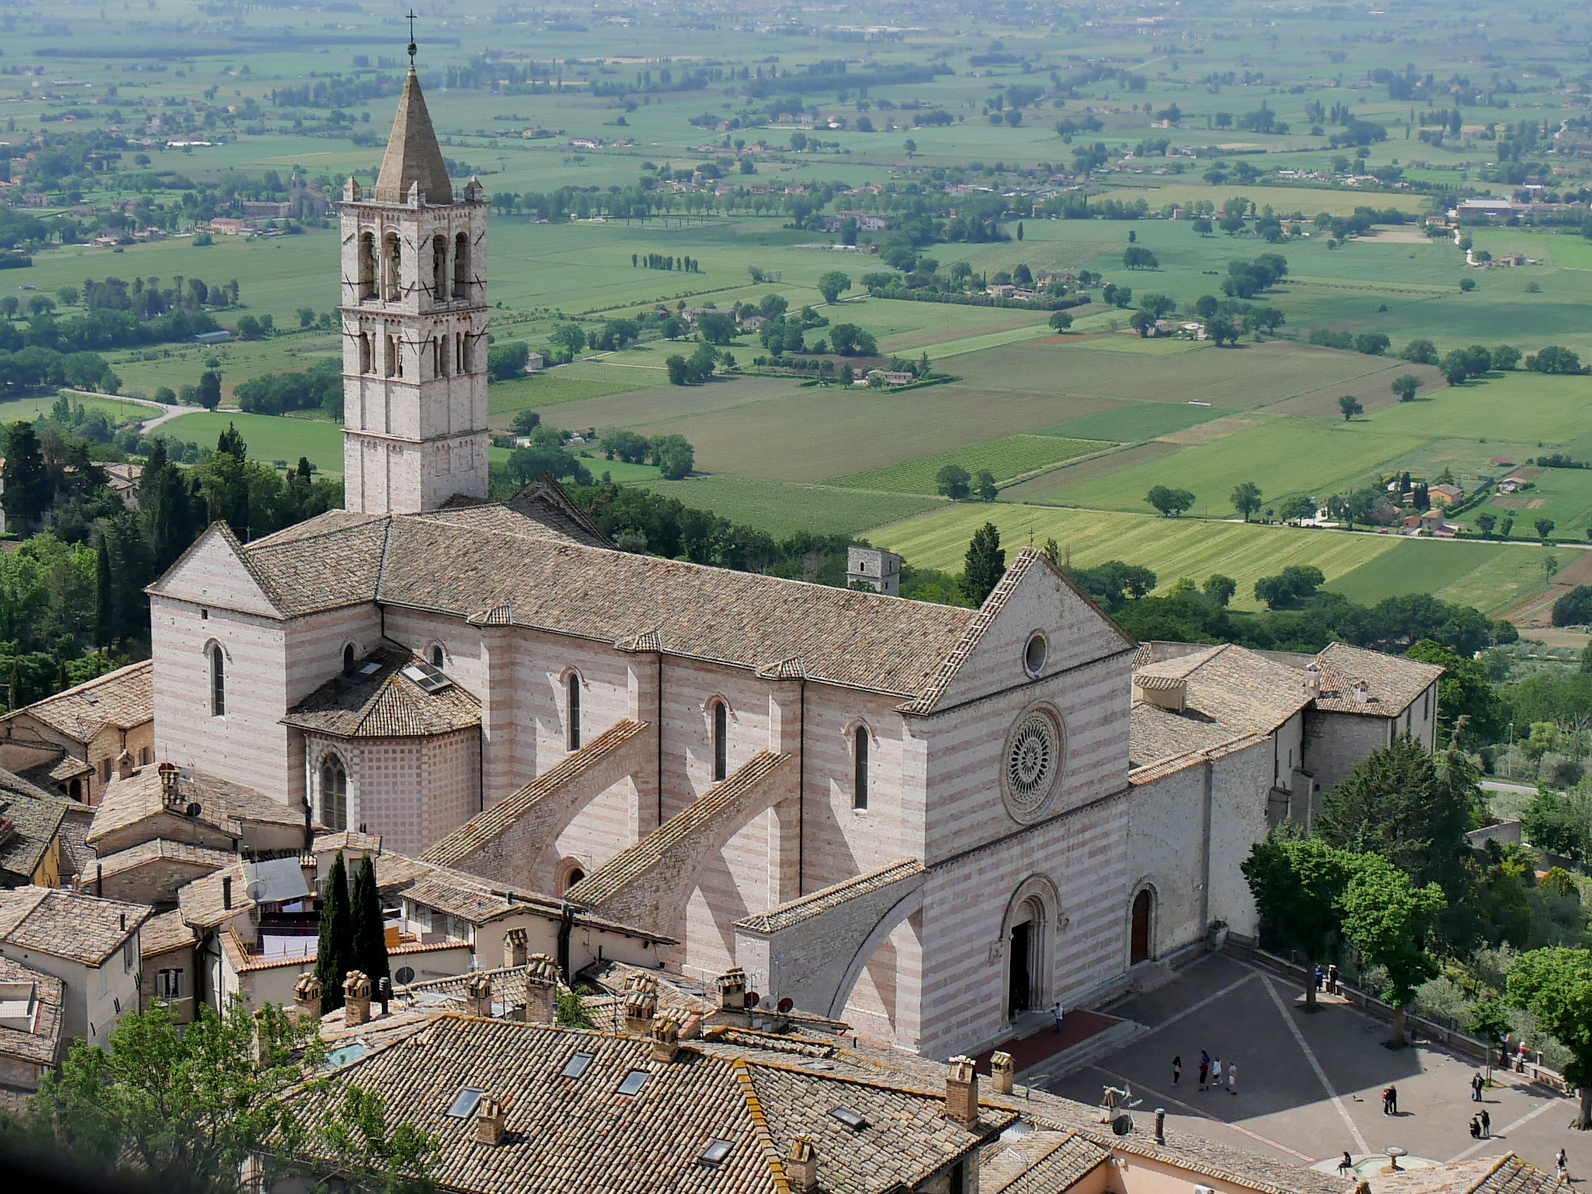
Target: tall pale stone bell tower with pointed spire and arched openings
{"x":415,"y":327}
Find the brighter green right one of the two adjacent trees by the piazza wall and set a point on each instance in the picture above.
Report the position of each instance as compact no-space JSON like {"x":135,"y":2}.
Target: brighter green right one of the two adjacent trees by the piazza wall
{"x":1391,"y":921}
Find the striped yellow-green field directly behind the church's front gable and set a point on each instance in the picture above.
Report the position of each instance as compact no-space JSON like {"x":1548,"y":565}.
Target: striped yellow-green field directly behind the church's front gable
{"x":1173,"y":548}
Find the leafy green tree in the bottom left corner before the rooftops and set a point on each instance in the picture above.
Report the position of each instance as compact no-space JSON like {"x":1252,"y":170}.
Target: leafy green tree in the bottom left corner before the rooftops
{"x":187,"y":1109}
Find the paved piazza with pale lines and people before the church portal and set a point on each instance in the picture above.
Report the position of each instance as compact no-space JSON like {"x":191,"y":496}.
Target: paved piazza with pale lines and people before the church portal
{"x":1311,"y":1087}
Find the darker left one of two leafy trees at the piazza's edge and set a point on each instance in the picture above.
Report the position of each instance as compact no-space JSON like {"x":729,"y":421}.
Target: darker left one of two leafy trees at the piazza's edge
{"x":1298,"y":886}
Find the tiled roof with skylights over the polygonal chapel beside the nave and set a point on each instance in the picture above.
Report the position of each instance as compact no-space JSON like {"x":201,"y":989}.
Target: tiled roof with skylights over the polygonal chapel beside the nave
{"x":378,"y":700}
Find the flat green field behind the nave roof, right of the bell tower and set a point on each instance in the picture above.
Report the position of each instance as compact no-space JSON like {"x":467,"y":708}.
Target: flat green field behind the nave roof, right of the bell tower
{"x":786,"y":510}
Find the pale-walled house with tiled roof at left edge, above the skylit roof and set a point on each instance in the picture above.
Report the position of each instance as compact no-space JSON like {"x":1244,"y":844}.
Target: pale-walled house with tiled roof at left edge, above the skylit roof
{"x":90,"y":945}
